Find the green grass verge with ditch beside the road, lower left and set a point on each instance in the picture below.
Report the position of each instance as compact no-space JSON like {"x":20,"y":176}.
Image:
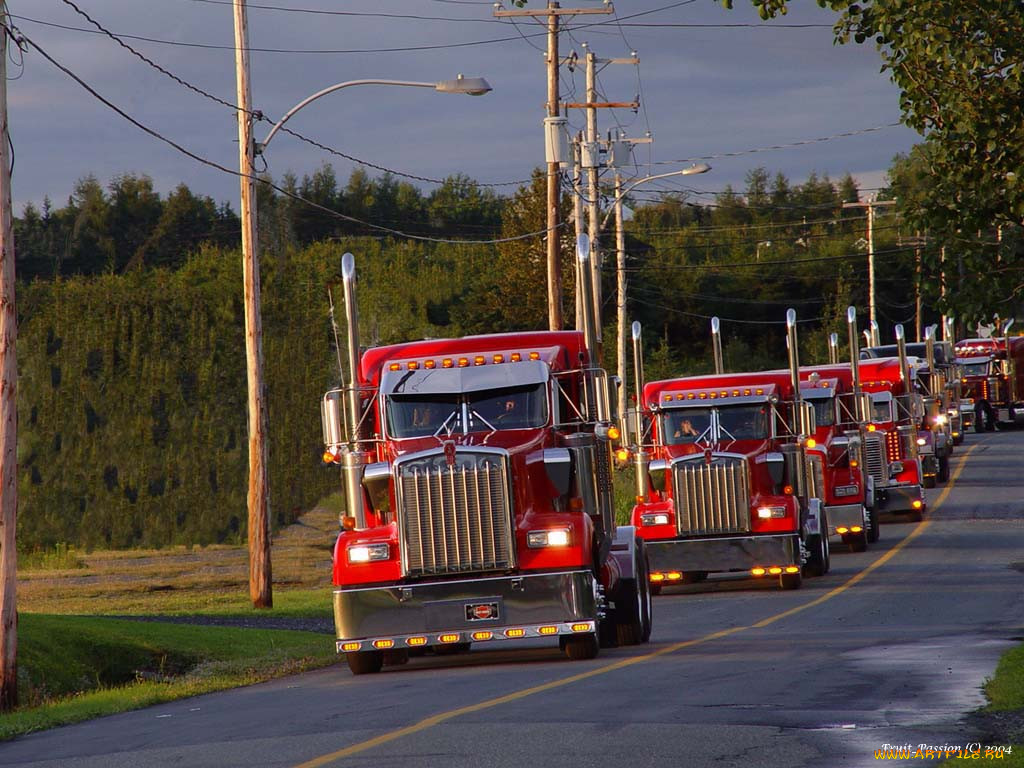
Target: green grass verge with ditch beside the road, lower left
{"x":76,"y":668}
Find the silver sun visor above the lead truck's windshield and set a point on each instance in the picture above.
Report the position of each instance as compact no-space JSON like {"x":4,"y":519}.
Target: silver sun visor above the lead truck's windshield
{"x":471,"y":379}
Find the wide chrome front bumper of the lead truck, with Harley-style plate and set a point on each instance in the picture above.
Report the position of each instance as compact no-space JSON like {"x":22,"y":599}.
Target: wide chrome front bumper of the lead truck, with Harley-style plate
{"x":531,"y":603}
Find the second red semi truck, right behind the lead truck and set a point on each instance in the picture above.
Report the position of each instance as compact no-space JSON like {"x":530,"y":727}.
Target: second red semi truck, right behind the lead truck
{"x":724,"y":483}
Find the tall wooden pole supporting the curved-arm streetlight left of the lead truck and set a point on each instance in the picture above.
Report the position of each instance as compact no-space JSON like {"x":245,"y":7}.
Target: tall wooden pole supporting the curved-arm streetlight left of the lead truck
{"x":259,"y":501}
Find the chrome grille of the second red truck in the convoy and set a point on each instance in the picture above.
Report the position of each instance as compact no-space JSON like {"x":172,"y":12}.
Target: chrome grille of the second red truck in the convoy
{"x":712,"y":498}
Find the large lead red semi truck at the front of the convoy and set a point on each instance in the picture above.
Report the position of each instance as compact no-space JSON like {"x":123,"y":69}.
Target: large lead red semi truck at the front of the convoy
{"x":479,"y":497}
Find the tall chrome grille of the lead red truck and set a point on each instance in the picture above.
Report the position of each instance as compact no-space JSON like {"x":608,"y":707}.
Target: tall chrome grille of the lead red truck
{"x":455,"y":520}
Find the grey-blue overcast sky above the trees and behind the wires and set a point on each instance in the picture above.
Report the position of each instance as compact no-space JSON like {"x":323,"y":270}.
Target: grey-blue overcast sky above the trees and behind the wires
{"x":707,"y":92}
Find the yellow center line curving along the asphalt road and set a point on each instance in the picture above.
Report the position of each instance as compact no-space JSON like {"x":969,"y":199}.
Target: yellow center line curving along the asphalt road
{"x":444,"y":717}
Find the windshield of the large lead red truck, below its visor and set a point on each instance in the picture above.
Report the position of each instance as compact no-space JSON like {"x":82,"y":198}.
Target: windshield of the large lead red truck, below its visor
{"x":443,"y":415}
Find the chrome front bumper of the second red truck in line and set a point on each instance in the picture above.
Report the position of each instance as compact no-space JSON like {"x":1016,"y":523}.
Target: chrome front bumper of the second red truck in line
{"x":721,"y":556}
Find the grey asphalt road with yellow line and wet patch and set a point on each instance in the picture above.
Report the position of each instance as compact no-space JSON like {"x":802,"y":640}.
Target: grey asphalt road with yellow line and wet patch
{"x":890,"y":649}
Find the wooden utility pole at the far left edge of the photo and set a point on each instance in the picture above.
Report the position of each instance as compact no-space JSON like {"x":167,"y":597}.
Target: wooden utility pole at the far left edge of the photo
{"x":9,"y":410}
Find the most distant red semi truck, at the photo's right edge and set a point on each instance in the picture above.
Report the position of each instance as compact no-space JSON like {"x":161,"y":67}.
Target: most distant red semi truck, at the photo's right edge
{"x":994,"y":379}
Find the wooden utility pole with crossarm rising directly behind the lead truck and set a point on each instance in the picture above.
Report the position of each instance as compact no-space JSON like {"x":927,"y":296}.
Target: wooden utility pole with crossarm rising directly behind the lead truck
{"x":553,"y":13}
